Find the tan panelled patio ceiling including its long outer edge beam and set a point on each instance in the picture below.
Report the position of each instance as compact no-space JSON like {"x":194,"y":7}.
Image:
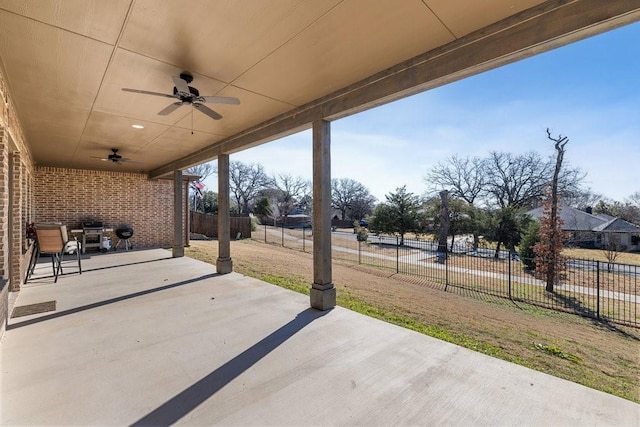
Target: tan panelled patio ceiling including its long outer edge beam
{"x":289,"y":62}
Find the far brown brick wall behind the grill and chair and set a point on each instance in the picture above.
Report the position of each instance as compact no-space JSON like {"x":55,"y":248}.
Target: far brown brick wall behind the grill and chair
{"x":73,"y":196}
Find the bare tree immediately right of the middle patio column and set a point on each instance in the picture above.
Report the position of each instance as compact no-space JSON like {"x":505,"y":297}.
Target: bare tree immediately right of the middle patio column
{"x":245,"y":183}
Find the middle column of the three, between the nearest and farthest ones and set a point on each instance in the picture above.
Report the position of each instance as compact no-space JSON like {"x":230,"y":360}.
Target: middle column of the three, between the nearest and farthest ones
{"x":224,"y":264}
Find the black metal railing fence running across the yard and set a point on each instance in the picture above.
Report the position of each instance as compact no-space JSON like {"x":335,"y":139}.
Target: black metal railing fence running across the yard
{"x":590,"y":288}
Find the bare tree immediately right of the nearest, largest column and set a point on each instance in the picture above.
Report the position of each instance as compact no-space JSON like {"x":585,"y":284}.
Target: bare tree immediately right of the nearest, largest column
{"x":351,"y":198}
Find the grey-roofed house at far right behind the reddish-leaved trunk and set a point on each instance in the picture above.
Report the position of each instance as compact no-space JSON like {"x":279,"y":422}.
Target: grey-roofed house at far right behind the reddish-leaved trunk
{"x":596,"y":231}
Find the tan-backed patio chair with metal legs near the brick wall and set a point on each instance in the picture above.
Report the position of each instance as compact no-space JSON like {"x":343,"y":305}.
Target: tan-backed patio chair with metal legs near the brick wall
{"x":53,"y":240}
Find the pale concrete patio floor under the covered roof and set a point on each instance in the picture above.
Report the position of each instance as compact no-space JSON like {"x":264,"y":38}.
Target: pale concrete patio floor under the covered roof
{"x":145,"y":339}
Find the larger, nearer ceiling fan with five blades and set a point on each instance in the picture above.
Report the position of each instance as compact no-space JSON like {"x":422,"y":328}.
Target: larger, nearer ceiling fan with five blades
{"x":188,"y":95}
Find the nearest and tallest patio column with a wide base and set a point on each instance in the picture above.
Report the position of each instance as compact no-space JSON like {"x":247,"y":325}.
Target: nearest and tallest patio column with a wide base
{"x":323,"y":293}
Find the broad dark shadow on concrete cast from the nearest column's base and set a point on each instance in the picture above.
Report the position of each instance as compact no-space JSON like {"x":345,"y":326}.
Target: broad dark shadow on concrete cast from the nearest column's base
{"x":180,"y":405}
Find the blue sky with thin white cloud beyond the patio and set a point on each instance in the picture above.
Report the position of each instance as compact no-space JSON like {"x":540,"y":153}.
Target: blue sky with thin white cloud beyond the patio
{"x":588,"y":91}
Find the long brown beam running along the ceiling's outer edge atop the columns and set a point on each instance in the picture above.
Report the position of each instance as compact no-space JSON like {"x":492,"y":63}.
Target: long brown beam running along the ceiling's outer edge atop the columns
{"x":536,"y":30}
